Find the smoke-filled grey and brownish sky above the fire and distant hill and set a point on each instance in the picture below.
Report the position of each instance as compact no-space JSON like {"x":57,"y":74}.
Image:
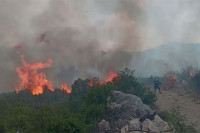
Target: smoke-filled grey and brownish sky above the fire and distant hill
{"x":89,"y":37}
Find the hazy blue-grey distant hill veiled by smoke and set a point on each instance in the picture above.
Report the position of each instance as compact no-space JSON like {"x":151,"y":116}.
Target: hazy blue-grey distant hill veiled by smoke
{"x":168,"y":57}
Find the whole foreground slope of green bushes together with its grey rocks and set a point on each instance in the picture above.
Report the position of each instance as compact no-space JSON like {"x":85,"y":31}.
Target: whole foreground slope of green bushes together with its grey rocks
{"x":121,"y":105}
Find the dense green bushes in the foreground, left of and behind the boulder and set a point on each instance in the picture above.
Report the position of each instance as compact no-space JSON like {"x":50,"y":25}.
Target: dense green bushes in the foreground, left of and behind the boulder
{"x":58,"y":112}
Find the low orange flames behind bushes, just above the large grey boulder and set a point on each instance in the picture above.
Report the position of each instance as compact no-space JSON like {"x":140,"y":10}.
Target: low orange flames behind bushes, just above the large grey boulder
{"x":95,"y":81}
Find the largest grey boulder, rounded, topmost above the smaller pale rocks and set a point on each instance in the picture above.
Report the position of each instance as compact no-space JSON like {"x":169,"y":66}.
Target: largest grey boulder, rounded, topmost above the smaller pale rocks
{"x":127,"y":106}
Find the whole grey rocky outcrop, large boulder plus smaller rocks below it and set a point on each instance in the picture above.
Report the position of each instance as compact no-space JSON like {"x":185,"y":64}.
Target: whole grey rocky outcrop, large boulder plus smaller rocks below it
{"x":128,"y":114}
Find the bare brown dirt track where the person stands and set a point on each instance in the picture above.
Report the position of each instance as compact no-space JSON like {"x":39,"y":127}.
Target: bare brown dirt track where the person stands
{"x":188,"y":103}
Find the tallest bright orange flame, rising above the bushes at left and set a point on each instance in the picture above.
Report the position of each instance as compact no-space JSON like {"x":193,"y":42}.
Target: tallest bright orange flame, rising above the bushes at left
{"x":33,"y":81}
